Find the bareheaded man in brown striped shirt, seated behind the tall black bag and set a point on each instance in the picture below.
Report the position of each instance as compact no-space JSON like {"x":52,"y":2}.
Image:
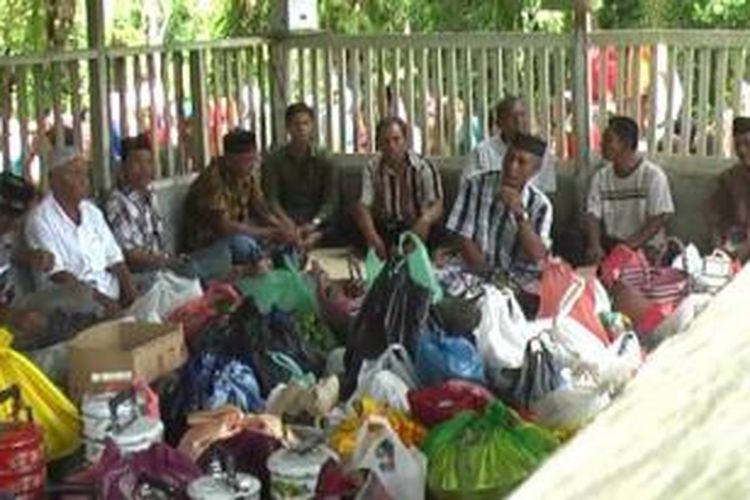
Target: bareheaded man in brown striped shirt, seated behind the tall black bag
{"x":400,"y":191}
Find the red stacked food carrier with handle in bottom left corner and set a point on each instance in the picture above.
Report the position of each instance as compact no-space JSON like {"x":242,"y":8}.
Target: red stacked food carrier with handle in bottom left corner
{"x":22,"y":463}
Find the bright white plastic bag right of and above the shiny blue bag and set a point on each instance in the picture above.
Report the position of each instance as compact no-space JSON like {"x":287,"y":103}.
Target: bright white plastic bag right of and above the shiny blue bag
{"x":503,"y":331}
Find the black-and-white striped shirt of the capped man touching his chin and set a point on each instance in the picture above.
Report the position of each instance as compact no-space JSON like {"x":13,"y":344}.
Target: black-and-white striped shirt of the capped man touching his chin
{"x":479,"y":214}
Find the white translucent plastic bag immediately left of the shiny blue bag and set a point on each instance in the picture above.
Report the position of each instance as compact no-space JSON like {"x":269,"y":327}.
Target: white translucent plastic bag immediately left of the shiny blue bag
{"x":388,"y":379}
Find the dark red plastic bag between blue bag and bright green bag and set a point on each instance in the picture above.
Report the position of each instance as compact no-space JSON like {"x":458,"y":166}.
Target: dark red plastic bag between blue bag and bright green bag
{"x":439,"y":403}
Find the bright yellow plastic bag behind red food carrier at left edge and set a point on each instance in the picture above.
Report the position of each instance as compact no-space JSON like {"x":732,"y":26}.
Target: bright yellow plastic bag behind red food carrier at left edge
{"x":51,"y":409}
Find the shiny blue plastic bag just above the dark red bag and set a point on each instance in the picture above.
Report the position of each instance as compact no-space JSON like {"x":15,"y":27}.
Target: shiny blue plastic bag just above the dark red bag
{"x":440,"y":358}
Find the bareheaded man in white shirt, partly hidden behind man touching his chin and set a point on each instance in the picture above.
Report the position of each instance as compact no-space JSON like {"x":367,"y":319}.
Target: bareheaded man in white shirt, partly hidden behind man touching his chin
{"x":511,"y":119}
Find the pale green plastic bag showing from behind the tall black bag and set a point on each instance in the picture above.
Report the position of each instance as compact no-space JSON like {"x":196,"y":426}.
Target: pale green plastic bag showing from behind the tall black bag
{"x":418,"y":262}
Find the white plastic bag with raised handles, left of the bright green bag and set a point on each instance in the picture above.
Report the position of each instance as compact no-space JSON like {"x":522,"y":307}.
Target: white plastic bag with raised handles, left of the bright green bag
{"x":401,"y":470}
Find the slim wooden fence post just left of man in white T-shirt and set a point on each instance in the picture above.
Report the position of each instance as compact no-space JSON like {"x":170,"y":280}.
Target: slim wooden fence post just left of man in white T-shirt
{"x":581,"y":106}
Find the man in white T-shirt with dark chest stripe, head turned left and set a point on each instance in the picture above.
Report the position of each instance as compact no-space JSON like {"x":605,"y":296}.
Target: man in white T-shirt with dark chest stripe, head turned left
{"x":628,"y":201}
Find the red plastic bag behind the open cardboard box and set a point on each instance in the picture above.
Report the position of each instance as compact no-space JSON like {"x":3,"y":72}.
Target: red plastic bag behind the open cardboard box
{"x":195,"y":315}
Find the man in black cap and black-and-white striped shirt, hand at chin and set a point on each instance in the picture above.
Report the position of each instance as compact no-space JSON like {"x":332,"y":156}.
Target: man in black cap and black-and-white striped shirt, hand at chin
{"x":503,"y":219}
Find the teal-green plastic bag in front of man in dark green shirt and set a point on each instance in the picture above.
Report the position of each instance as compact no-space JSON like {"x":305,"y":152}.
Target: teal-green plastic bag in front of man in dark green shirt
{"x":287,"y":289}
